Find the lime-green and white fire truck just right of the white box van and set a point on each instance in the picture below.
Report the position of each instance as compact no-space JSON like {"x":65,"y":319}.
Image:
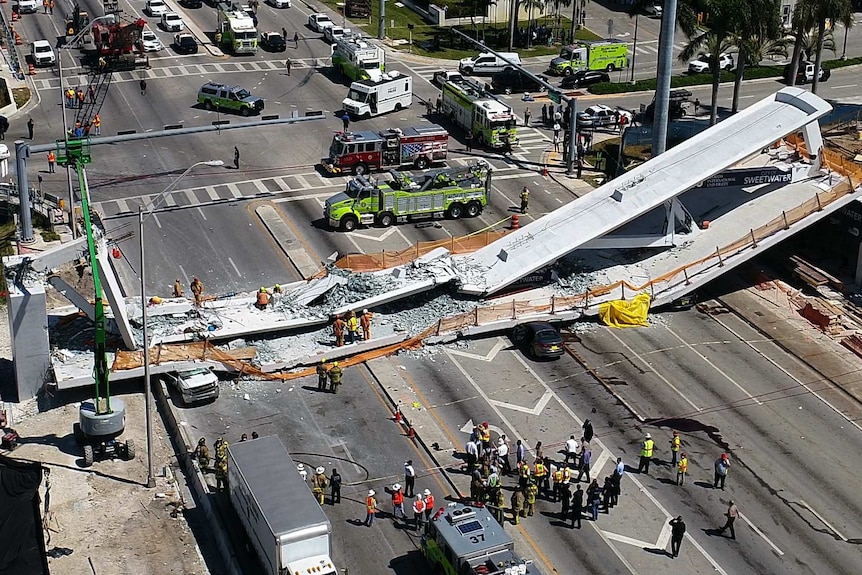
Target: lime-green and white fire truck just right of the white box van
{"x":468,"y":105}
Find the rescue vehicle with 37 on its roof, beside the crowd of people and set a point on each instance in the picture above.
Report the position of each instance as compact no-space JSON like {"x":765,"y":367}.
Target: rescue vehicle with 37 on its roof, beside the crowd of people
{"x":467,"y":540}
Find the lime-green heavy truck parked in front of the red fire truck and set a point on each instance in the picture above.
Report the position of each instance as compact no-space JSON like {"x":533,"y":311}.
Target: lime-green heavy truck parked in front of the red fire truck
{"x":448,"y":192}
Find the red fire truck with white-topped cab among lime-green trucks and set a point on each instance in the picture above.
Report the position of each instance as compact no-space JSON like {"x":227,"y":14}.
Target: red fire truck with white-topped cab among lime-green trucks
{"x":360,"y":152}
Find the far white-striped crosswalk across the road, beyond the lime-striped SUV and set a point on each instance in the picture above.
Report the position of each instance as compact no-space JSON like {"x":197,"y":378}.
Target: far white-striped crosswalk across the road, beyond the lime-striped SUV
{"x":78,"y":76}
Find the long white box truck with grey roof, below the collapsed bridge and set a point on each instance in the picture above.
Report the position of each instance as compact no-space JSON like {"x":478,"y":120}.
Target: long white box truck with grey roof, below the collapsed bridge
{"x":281,"y":516}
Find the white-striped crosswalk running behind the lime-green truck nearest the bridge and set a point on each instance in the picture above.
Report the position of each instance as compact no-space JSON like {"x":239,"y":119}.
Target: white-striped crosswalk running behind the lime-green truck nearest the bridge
{"x":310,"y":185}
